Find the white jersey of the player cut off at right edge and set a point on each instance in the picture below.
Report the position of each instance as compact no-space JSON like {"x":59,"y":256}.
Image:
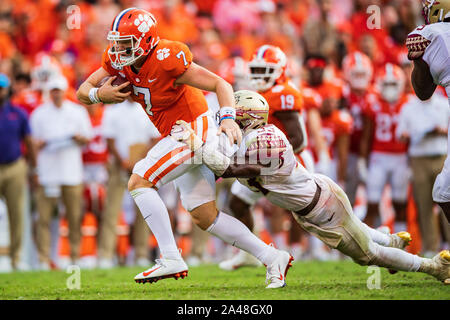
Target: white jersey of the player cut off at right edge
{"x":437,"y":53}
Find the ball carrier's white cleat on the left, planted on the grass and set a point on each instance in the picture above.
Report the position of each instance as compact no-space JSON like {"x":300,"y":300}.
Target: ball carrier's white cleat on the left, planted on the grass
{"x":164,"y":268}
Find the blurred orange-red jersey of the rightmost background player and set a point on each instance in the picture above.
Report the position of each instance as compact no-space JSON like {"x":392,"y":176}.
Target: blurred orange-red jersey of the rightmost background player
{"x":384,"y":117}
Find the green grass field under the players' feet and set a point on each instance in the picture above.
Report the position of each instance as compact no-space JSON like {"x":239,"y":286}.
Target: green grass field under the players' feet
{"x":305,"y":280}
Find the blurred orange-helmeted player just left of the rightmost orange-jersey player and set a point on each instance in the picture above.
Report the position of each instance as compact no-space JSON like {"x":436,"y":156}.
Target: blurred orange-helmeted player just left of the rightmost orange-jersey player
{"x":358,"y":72}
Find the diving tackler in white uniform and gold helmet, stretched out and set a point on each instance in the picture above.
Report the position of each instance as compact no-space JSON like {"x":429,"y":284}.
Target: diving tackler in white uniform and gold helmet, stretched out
{"x":265,"y":162}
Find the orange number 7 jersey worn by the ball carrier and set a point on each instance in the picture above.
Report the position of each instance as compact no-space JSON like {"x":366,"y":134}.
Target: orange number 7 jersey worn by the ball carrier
{"x":154,"y":88}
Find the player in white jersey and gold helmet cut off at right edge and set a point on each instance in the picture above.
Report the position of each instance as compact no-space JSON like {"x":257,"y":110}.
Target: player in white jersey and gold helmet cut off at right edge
{"x":429,"y":47}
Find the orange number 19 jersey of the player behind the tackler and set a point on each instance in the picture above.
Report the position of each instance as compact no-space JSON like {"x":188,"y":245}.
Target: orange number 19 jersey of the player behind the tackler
{"x":282,"y":97}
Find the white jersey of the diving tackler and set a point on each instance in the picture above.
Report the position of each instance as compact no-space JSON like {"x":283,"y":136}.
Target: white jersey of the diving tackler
{"x":285,"y":182}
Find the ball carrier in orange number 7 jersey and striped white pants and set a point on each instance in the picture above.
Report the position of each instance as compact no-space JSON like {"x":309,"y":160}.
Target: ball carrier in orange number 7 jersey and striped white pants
{"x":167,"y":84}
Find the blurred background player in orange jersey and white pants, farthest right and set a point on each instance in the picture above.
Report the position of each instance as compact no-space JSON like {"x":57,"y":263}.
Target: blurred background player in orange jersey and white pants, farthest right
{"x":387,"y":156}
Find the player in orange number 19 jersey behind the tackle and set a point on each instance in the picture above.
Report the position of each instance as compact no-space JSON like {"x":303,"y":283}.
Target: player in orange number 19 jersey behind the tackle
{"x":268,"y":76}
